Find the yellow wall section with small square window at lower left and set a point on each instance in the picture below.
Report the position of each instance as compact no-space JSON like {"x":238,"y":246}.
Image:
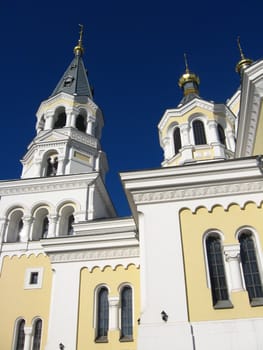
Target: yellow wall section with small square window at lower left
{"x":15,"y":301}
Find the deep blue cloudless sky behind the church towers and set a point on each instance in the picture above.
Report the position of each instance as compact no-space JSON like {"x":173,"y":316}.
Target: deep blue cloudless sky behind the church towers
{"x":134,"y":56}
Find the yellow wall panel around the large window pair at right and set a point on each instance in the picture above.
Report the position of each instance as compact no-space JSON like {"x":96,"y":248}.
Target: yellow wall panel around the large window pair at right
{"x":193,"y":227}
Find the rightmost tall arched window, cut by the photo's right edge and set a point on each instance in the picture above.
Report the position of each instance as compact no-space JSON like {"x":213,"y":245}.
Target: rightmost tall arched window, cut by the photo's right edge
{"x":250,"y":268}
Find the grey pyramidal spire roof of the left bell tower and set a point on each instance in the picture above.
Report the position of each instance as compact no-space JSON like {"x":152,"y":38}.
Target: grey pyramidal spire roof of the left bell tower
{"x":75,"y":80}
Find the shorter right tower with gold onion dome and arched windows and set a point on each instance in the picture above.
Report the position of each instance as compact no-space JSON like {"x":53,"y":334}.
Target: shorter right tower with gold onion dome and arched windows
{"x":196,"y":130}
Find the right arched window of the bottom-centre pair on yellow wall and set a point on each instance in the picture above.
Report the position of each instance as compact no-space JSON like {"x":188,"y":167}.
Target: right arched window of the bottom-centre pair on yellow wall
{"x":126,"y":313}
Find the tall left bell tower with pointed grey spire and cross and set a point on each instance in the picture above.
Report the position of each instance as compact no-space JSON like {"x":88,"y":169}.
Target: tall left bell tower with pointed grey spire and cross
{"x":68,"y":127}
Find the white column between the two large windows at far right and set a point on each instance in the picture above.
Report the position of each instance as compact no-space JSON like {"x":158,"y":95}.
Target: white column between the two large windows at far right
{"x":232,"y":254}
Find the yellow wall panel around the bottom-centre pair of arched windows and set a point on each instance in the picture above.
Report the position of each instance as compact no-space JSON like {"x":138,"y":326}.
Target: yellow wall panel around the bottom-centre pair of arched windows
{"x":113,"y":279}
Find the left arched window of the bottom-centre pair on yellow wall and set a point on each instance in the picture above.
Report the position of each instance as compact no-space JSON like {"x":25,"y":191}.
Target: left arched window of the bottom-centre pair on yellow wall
{"x":102,"y":315}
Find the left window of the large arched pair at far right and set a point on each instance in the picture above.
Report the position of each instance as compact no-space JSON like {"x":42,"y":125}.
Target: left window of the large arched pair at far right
{"x":217,"y":273}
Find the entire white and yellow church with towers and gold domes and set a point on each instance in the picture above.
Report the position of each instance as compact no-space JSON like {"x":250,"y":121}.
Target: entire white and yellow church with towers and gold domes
{"x":184,"y":271}
